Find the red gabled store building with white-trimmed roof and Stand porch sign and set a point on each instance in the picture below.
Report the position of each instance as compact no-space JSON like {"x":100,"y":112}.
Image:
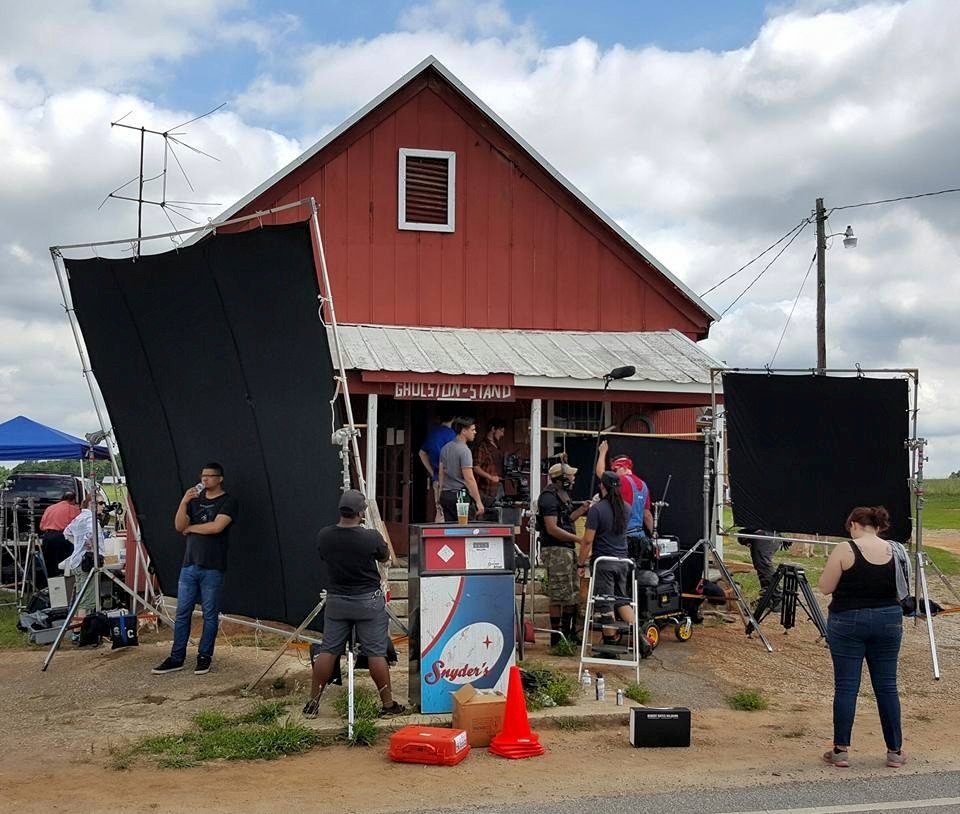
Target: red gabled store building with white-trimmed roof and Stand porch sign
{"x":465,"y":268}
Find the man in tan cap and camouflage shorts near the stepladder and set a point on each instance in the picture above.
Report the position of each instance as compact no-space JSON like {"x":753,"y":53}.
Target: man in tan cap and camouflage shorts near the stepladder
{"x":556,"y":515}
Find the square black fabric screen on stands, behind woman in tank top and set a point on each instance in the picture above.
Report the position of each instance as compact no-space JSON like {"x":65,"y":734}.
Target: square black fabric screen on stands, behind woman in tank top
{"x":805,"y":450}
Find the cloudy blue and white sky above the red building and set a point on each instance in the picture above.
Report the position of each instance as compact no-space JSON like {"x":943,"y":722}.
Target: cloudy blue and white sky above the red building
{"x":706,"y":129}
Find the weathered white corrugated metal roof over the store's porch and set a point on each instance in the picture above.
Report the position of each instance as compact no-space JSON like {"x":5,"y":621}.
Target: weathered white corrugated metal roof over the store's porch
{"x":659,"y":356}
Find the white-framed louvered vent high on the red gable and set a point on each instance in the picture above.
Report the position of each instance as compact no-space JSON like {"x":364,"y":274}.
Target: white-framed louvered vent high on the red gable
{"x":426,"y":194}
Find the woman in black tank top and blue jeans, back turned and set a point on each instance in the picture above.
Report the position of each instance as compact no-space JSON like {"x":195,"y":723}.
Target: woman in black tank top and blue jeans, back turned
{"x":865,"y":622}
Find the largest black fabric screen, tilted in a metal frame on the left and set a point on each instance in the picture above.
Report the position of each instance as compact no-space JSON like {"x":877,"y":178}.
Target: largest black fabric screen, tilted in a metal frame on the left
{"x":215,"y":352}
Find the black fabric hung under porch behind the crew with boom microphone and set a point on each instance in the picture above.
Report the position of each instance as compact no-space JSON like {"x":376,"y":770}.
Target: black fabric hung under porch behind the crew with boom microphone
{"x":654,"y":460}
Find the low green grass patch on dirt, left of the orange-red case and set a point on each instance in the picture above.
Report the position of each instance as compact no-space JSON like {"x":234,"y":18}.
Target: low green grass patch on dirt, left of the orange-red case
{"x":264,"y":733}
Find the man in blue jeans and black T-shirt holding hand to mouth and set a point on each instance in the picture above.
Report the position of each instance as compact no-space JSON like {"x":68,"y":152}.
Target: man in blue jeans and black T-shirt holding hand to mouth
{"x":204,"y":515}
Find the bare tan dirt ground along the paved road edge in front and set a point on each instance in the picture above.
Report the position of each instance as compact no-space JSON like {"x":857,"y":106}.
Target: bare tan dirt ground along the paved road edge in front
{"x":60,"y":726}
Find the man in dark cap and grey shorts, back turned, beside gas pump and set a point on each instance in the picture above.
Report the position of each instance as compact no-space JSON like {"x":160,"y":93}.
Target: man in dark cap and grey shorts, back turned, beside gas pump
{"x":355,"y":601}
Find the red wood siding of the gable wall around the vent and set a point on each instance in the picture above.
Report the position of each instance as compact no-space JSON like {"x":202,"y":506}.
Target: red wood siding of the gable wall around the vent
{"x":525,"y":252}
